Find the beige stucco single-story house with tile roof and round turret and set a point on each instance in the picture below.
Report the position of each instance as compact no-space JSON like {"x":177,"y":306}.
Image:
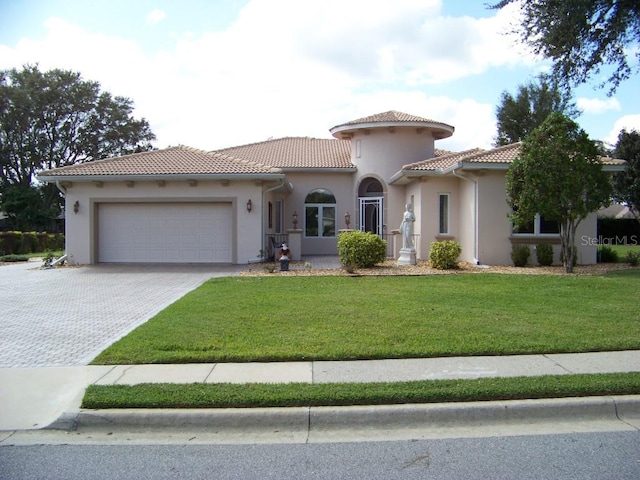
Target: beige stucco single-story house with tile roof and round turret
{"x":183,"y":205}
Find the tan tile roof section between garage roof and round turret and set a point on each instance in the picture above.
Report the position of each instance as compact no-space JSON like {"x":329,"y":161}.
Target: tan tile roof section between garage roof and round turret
{"x":296,"y":152}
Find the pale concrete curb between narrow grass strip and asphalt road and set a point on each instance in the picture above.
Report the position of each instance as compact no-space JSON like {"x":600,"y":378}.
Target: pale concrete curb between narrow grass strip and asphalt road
{"x":624,"y":409}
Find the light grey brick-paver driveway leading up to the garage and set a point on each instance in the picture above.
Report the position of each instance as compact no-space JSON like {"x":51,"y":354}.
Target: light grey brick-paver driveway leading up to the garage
{"x":66,"y":316}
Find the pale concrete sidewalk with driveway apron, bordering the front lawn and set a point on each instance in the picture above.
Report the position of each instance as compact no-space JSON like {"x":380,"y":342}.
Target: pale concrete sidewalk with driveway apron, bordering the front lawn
{"x":33,"y":398}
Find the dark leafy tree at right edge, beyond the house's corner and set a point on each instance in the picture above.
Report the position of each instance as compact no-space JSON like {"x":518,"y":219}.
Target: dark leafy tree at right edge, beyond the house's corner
{"x":626,"y":185}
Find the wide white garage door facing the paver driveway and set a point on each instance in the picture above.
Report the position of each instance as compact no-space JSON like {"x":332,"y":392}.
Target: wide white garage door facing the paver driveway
{"x":165,"y":232}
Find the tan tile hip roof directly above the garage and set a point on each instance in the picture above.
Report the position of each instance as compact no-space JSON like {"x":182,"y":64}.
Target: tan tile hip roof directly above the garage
{"x":172,"y":160}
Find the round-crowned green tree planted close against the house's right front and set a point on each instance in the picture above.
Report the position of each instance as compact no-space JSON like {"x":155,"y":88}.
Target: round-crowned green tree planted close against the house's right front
{"x":558,"y":175}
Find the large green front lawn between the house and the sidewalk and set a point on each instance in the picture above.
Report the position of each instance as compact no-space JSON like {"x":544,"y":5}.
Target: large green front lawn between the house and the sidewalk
{"x":247,"y":319}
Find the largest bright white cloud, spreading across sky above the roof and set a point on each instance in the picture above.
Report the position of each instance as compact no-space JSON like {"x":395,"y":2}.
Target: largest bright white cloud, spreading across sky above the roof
{"x":292,"y":68}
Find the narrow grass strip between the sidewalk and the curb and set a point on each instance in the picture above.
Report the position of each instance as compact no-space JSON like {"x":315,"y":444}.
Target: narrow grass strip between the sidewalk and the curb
{"x":201,"y":395}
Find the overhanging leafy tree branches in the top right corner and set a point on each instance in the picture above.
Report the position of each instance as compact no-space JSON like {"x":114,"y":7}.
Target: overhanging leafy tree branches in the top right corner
{"x":582,"y":36}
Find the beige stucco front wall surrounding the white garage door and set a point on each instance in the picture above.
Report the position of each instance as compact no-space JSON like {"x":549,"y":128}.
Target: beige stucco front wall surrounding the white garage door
{"x":81,"y":228}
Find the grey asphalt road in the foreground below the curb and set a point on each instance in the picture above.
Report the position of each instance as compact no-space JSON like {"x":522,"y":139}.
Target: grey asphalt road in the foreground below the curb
{"x":582,"y":456}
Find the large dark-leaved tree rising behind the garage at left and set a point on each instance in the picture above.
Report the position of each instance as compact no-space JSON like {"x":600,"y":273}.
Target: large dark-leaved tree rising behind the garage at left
{"x":54,"y":119}
